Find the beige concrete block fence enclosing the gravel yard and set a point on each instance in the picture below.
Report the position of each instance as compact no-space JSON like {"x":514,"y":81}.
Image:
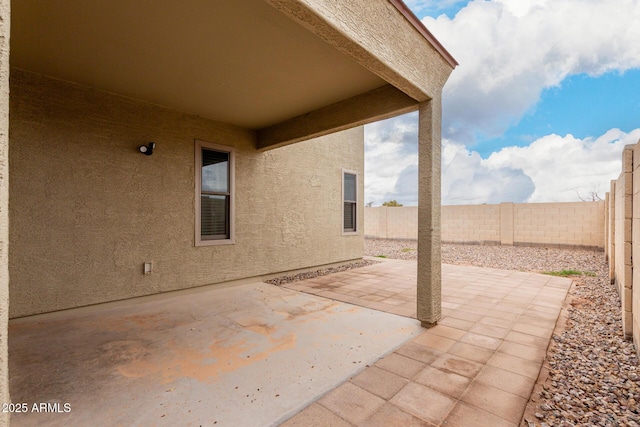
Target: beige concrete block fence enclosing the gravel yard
{"x":612,"y":225}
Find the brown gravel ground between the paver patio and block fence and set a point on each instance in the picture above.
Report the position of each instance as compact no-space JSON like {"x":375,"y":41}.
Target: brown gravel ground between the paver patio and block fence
{"x":593,"y":375}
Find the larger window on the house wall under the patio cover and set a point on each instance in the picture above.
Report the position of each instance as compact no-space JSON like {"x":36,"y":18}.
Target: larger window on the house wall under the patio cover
{"x":214,"y":194}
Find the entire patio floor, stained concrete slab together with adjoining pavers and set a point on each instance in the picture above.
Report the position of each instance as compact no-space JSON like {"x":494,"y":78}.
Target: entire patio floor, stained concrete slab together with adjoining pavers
{"x":259,"y":355}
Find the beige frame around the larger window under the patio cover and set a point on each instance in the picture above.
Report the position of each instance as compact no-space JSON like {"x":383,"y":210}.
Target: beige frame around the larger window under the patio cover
{"x":199,"y":146}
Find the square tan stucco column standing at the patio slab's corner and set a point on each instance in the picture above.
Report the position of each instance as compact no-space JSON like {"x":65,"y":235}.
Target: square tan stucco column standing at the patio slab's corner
{"x":429,"y":257}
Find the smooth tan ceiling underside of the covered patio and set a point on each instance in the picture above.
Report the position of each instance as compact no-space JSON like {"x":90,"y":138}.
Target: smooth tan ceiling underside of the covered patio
{"x":241,"y":62}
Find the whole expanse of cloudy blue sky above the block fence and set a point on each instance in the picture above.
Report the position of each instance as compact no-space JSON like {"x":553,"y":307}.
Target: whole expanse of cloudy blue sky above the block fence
{"x":546,"y":95}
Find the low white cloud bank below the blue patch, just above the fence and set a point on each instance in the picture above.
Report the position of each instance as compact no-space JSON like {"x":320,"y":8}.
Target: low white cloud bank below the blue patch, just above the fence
{"x":552,"y":168}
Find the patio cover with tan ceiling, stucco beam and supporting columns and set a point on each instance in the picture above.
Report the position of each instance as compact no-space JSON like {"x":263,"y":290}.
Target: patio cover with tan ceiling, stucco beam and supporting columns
{"x":288,"y":70}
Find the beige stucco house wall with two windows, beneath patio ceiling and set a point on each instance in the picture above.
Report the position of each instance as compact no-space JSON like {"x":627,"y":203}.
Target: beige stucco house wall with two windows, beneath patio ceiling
{"x":87,"y":209}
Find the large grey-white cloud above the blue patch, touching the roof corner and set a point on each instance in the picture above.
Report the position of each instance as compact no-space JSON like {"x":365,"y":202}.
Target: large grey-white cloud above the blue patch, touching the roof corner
{"x":511,"y":50}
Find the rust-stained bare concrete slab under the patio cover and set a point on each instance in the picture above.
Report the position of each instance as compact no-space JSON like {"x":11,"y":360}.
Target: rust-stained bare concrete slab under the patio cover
{"x":251,"y":355}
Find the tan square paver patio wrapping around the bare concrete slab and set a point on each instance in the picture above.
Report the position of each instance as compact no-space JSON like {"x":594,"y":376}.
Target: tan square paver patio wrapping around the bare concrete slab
{"x":477,"y":367}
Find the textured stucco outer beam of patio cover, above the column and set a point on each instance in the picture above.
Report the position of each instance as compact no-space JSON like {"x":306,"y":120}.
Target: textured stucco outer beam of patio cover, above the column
{"x":367,"y":23}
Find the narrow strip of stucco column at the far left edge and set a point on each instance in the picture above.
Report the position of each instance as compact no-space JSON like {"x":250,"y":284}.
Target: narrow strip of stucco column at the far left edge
{"x":4,"y":205}
